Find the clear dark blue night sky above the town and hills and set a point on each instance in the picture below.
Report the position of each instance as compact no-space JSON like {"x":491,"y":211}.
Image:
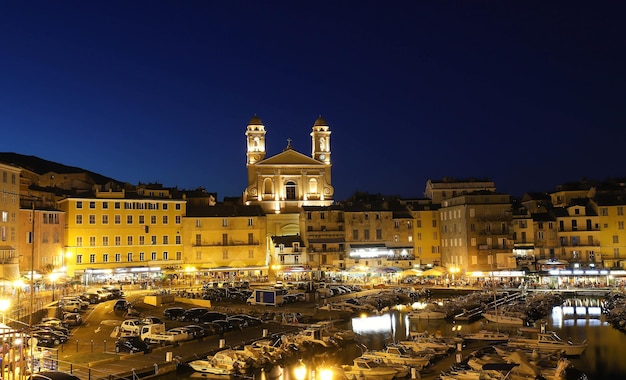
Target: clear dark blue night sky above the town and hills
{"x":529,"y":94}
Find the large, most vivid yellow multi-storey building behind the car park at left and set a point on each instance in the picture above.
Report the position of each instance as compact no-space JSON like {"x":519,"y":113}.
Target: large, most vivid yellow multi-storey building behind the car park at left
{"x":124,"y":236}
